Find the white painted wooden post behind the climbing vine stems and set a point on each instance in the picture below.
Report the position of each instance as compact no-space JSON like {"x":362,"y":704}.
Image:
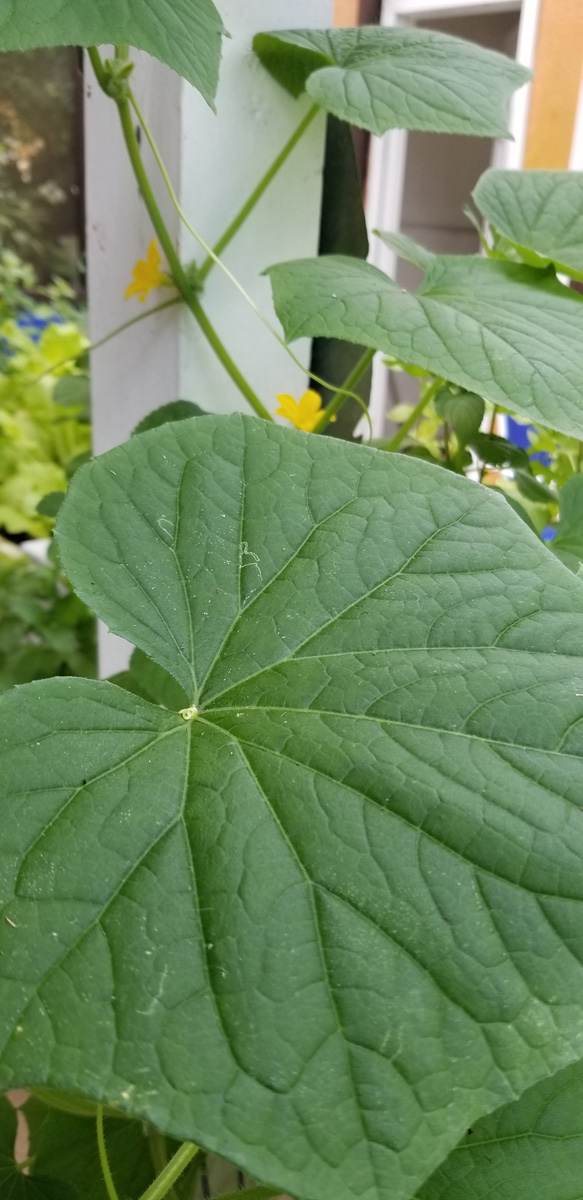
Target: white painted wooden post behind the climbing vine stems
{"x":214,"y":161}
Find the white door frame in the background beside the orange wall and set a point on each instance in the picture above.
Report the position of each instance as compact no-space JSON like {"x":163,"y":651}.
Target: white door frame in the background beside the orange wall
{"x":388,"y":157}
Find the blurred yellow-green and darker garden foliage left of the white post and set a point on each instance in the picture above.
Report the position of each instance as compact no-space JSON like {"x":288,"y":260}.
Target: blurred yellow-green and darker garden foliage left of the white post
{"x":45,"y":435}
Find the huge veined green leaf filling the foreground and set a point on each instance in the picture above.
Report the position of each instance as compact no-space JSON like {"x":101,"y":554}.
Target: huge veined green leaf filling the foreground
{"x":334,"y":920}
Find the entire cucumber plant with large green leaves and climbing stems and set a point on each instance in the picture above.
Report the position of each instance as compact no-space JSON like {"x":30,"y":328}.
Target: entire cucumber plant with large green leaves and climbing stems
{"x":303,"y":887}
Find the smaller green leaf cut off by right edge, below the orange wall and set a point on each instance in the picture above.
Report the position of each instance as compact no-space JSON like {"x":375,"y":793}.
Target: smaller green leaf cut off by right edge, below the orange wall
{"x":540,"y":212}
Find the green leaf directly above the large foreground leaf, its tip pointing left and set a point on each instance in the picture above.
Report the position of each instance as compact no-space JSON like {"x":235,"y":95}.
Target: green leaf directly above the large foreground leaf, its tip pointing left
{"x":512,"y":334}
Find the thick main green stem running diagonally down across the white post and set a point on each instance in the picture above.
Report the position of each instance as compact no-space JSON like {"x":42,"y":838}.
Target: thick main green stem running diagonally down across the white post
{"x":177,"y":269}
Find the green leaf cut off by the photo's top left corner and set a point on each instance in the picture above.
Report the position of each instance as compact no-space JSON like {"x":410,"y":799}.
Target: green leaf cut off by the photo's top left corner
{"x":185,"y":34}
